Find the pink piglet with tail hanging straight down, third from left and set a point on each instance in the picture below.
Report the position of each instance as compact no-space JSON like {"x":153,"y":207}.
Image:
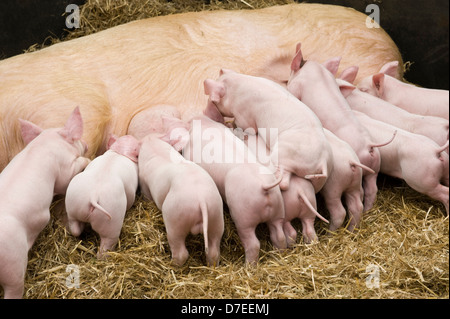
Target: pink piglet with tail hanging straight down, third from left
{"x":186,"y":195}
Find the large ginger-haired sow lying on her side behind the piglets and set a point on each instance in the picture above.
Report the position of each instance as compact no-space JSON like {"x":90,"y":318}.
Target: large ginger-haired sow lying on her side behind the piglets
{"x":165,"y":60}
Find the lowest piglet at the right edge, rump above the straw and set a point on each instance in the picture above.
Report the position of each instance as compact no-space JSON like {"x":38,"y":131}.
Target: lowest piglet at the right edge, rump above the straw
{"x":414,"y":158}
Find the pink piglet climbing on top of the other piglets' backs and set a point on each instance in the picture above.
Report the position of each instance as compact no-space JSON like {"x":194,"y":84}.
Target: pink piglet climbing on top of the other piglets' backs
{"x":256,"y":103}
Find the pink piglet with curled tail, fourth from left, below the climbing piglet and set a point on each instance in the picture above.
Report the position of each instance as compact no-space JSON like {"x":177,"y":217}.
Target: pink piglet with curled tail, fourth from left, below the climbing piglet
{"x":249,"y":188}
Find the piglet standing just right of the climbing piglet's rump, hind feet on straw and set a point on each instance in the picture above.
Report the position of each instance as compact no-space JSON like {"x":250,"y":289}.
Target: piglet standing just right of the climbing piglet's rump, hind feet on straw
{"x":345,"y":180}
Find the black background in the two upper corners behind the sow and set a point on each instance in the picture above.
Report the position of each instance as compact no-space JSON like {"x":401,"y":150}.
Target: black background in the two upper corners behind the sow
{"x":419,"y":28}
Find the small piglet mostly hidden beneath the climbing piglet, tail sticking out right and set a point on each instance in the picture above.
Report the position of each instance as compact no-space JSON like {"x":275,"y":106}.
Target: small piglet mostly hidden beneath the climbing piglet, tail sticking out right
{"x":299,"y":199}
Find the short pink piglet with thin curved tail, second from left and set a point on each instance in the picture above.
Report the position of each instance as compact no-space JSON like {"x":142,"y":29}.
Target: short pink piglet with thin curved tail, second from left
{"x":104,"y":191}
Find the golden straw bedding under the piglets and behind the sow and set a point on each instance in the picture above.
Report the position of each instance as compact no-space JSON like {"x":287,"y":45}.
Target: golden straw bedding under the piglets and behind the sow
{"x":404,"y":237}
